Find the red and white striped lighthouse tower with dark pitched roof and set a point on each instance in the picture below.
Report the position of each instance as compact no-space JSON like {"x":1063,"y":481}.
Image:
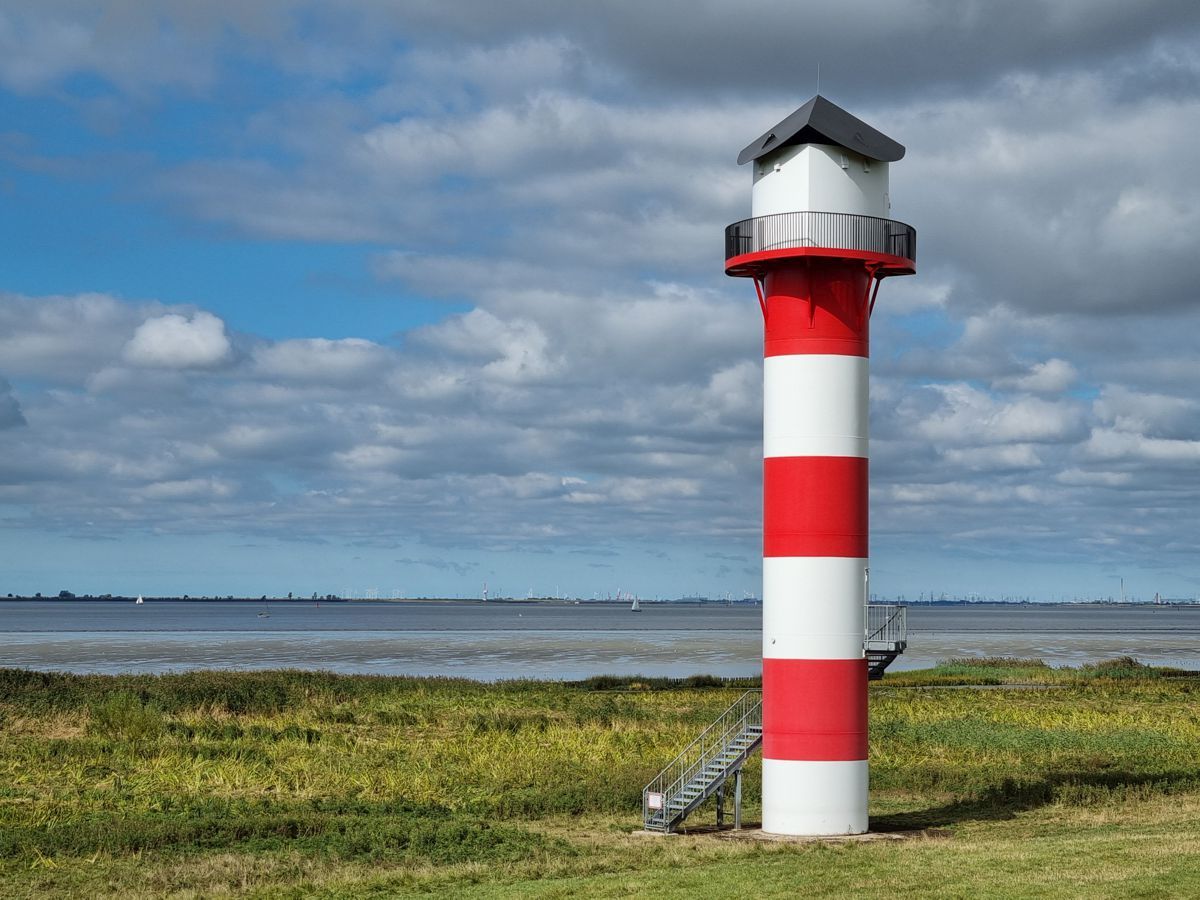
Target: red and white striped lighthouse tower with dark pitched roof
{"x":818,"y":247}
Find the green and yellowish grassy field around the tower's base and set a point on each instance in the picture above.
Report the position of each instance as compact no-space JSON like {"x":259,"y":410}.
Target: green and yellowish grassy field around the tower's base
{"x":998,"y":779}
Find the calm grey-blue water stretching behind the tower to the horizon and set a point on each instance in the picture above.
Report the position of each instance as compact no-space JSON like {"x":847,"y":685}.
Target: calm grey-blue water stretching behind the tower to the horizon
{"x":533,"y":641}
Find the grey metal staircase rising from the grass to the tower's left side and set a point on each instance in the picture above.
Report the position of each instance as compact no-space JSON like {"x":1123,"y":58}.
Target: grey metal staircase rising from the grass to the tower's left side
{"x":705,"y":767}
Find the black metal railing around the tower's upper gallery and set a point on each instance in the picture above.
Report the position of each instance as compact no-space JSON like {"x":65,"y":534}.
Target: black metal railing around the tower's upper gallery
{"x":833,"y":231}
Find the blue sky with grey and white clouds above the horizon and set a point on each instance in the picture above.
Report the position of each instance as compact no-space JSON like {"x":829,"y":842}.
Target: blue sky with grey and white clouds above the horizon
{"x":415,"y":296}
